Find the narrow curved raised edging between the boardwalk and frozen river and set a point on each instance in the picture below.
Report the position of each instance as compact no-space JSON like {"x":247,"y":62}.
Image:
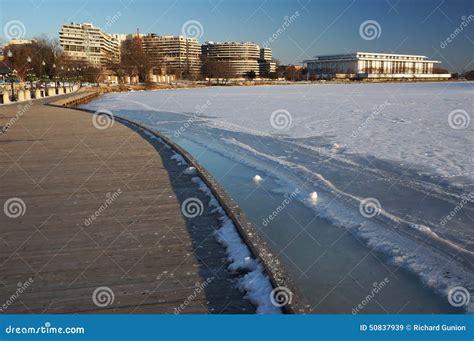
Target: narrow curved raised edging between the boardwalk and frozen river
{"x":248,"y":232}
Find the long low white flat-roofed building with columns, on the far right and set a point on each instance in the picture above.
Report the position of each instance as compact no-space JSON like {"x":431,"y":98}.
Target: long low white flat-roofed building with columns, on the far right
{"x":369,"y":65}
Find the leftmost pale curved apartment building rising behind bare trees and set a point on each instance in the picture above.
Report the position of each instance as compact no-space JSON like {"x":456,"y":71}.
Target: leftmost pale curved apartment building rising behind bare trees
{"x":84,"y":42}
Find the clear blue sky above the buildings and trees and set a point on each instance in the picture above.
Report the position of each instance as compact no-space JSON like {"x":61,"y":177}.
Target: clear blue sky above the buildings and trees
{"x":322,"y":26}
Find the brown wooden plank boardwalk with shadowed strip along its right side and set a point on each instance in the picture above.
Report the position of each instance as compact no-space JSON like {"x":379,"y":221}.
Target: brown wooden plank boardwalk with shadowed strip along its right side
{"x":139,"y":254}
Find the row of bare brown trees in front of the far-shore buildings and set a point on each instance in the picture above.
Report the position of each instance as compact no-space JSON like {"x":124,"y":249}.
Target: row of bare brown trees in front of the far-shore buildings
{"x":44,"y":60}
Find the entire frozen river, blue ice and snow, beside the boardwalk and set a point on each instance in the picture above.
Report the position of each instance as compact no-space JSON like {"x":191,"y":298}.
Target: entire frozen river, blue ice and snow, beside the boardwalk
{"x":391,"y":165}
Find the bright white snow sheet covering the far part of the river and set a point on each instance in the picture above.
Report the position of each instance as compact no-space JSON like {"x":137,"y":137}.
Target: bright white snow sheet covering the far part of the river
{"x":405,"y":123}
